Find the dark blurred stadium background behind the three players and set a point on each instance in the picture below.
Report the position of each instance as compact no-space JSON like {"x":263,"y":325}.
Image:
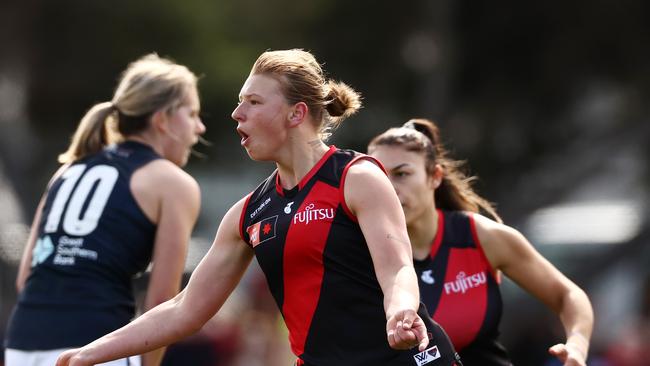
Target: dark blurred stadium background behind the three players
{"x":548,"y":101}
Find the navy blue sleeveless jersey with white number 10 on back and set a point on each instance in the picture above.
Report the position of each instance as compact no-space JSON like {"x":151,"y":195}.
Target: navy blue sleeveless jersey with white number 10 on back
{"x":93,"y":238}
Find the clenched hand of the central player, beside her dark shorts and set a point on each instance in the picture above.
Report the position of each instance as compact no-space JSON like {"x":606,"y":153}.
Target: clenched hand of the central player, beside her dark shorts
{"x":406,"y":330}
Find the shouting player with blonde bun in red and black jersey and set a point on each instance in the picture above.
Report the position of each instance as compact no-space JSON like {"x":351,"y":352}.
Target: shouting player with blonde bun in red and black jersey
{"x":326,"y":228}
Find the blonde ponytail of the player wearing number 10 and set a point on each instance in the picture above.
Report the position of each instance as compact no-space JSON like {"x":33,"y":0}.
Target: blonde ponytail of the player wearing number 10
{"x":92,"y":134}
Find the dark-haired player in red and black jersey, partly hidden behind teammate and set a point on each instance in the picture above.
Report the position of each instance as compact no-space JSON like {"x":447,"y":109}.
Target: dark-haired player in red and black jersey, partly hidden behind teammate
{"x":459,"y":254}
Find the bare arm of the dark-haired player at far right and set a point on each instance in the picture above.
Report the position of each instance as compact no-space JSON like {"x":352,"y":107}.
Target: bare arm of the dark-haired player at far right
{"x":509,"y":251}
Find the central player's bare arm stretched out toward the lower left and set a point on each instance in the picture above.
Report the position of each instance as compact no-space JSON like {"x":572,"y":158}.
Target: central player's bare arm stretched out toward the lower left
{"x":211,"y":283}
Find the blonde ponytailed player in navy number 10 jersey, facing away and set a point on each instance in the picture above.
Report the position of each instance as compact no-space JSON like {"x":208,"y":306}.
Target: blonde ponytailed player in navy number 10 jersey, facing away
{"x":119,"y":202}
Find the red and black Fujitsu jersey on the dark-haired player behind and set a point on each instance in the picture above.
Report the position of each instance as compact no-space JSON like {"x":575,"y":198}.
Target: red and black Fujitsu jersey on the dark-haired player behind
{"x":461,"y":290}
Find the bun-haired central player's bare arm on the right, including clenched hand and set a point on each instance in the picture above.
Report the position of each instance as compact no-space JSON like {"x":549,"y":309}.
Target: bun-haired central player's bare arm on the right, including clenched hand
{"x":371,"y":197}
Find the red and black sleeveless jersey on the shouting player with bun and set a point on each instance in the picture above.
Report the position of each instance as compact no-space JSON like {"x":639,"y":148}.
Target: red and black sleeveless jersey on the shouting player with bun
{"x":319,"y":269}
